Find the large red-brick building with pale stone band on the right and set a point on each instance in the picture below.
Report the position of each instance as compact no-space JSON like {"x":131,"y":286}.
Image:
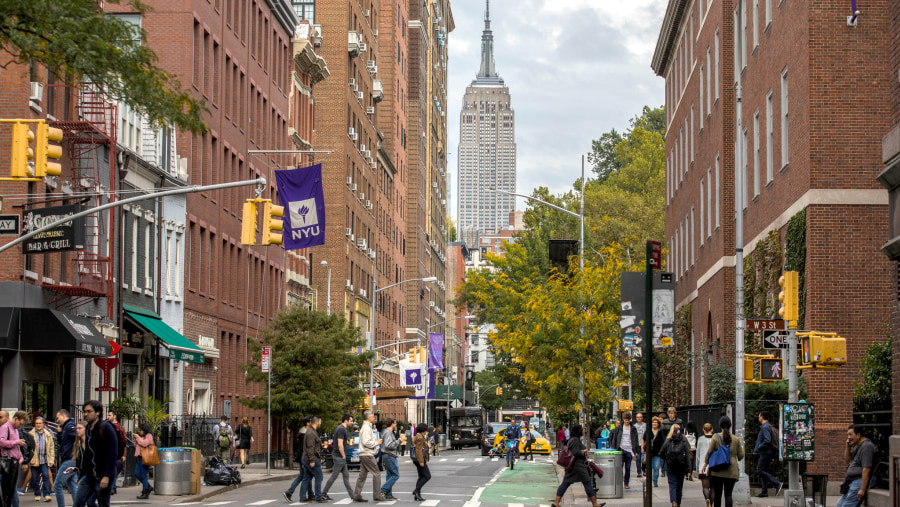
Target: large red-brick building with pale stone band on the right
{"x":804,"y":141}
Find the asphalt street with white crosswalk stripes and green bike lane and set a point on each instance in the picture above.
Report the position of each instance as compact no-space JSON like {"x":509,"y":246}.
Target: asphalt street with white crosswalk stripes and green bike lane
{"x":459,"y":479}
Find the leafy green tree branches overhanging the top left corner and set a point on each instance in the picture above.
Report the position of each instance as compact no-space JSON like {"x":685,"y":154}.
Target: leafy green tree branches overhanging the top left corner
{"x":77,"y":42}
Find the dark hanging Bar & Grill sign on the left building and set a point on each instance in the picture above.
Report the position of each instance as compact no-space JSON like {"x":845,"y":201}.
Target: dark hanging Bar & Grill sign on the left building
{"x":66,"y":236}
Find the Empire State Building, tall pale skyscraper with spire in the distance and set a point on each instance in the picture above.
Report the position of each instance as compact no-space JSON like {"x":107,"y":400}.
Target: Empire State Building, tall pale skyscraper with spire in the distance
{"x":487,"y":149}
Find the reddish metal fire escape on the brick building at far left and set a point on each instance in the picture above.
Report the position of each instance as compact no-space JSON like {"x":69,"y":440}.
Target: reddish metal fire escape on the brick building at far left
{"x":89,"y":126}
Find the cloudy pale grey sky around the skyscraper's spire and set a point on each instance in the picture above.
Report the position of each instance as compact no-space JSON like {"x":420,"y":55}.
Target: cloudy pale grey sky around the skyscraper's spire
{"x":575,"y":69}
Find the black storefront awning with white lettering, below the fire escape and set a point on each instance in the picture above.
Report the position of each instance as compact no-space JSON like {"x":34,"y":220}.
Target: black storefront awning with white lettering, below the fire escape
{"x":46,"y":330}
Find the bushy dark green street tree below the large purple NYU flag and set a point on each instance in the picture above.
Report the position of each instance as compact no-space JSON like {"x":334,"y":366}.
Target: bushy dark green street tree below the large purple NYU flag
{"x":314,"y":371}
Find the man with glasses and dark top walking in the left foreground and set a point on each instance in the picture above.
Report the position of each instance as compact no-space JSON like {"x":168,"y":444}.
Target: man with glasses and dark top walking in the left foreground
{"x":100,"y":454}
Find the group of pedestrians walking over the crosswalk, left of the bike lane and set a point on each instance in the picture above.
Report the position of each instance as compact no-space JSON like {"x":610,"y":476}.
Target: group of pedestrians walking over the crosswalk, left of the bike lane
{"x":371,"y":441}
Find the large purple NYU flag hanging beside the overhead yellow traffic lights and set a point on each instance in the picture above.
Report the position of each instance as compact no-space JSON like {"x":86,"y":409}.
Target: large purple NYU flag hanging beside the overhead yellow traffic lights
{"x":300,"y":192}
